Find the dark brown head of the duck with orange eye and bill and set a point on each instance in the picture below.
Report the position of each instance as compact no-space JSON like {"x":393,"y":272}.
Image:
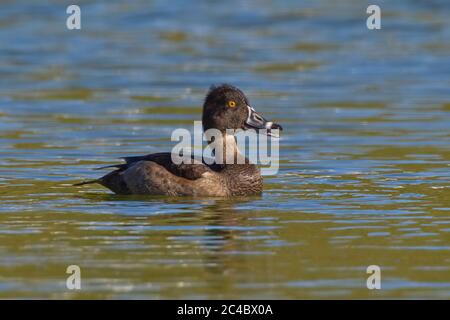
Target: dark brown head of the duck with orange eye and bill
{"x":227,"y":107}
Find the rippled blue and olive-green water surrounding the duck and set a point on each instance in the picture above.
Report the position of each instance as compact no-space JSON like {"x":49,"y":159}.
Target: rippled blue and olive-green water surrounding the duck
{"x":364,"y":176}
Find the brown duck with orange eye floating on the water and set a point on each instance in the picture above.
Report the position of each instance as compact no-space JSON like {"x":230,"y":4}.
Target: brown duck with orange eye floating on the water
{"x":226,"y":108}
